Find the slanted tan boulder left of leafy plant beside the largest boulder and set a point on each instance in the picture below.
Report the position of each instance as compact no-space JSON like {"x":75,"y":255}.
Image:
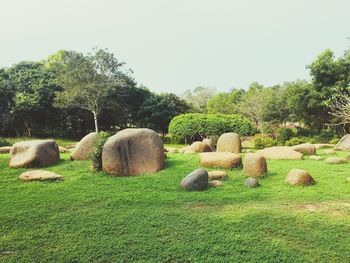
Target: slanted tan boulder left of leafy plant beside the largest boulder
{"x":84,"y":148}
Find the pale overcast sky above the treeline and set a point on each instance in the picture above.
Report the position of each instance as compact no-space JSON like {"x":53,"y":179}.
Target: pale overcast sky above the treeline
{"x":174,"y":45}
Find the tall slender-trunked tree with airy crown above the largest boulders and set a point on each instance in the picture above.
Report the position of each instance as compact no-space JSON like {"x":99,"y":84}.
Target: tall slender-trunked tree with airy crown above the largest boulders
{"x":87,"y":80}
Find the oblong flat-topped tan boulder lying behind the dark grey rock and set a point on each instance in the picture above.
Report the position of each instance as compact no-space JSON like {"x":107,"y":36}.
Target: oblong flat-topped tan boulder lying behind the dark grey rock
{"x":220,"y":159}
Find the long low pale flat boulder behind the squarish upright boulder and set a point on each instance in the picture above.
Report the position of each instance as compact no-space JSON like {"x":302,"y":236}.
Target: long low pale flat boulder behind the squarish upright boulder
{"x":280,"y":153}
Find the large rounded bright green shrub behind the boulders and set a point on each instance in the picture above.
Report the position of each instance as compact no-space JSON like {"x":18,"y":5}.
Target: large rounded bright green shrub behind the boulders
{"x":191,"y":127}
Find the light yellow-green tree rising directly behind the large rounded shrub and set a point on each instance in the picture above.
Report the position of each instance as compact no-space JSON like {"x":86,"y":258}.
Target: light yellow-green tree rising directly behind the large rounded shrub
{"x":226,"y":103}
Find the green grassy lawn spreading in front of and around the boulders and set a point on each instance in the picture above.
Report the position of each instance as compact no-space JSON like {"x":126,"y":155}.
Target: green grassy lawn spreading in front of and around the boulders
{"x":92,"y":217}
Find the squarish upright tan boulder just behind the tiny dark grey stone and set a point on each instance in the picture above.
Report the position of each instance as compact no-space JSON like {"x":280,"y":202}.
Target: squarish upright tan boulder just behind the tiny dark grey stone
{"x":254,"y":165}
